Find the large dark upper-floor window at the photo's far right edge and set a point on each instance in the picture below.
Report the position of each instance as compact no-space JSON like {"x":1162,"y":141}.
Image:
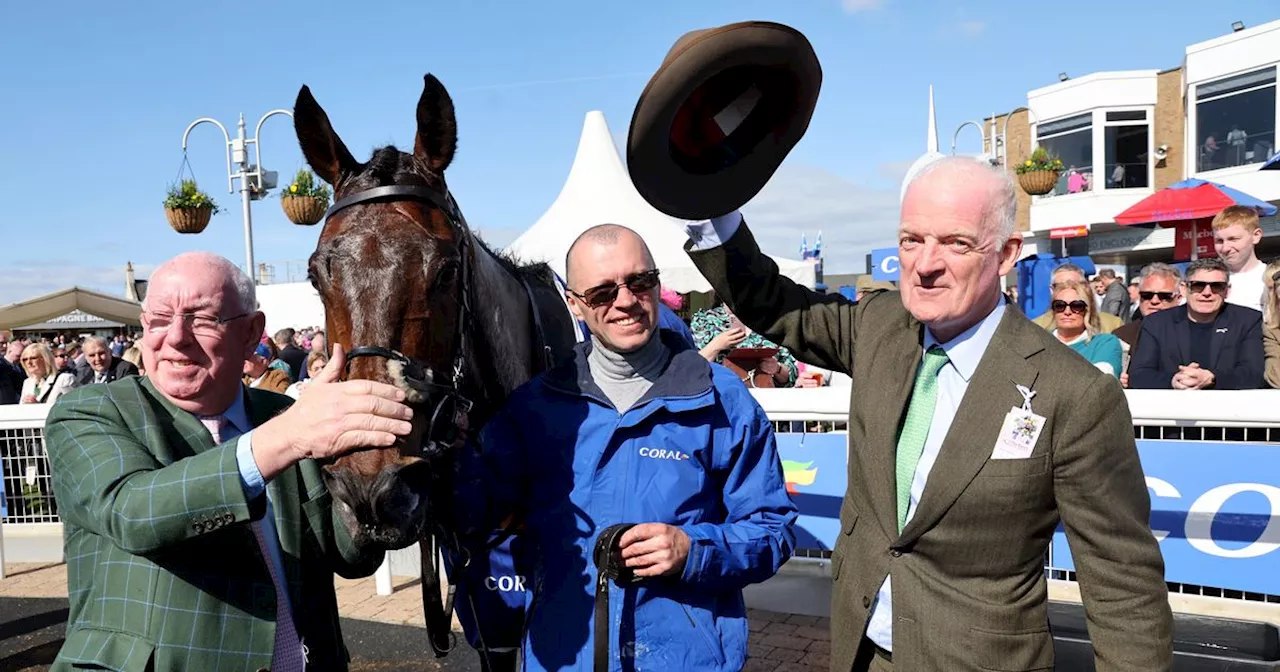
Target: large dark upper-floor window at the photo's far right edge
{"x":1236,"y":121}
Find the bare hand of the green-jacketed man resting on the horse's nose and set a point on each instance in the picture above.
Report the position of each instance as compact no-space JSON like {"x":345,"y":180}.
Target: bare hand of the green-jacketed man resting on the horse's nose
{"x":332,"y":419}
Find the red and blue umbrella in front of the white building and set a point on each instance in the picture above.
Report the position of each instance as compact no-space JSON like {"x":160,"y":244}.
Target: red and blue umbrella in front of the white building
{"x":1190,"y":205}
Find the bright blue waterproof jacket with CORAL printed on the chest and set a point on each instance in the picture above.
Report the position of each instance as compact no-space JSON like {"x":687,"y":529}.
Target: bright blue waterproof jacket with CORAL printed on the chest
{"x":697,"y":452}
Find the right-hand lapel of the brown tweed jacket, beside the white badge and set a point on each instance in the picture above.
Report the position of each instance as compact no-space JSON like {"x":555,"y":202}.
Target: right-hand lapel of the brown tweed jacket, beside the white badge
{"x":991,"y":394}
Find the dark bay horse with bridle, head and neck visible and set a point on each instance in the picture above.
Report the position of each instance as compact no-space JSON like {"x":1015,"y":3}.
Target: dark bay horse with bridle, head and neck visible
{"x":420,"y":303}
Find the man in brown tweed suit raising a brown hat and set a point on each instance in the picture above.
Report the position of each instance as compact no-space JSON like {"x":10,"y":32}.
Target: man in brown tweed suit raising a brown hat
{"x":973,"y":433}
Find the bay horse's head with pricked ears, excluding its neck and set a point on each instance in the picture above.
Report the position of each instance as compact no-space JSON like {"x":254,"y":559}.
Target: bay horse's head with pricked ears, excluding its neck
{"x":390,"y":268}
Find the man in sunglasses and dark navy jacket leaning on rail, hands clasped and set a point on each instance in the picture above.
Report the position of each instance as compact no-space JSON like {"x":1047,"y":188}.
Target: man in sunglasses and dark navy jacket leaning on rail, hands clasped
{"x":1212,"y":345}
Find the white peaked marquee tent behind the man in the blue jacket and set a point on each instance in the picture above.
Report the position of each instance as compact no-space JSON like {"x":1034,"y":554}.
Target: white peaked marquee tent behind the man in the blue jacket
{"x":600,"y":191}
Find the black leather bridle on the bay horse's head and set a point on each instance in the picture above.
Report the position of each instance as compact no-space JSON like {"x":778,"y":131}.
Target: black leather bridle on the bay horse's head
{"x":451,"y":408}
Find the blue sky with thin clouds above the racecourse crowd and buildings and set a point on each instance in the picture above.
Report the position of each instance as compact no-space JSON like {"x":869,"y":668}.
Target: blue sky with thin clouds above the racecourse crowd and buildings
{"x":97,"y":95}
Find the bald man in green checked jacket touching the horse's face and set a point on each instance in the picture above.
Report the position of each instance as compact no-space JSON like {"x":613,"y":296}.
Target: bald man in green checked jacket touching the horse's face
{"x":199,"y":531}
